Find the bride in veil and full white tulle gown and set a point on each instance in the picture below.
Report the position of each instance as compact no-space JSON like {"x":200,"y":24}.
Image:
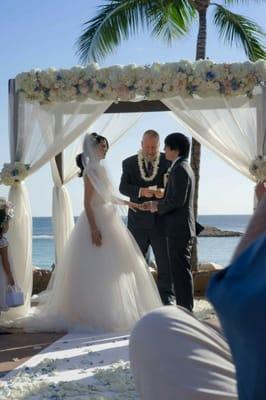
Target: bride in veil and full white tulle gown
{"x":102,"y":282}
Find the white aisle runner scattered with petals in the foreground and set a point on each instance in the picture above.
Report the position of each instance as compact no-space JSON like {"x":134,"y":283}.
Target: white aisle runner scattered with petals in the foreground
{"x":77,"y":366}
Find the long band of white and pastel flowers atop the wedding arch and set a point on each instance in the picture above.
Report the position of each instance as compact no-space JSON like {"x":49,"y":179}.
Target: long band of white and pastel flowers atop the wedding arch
{"x":203,"y":78}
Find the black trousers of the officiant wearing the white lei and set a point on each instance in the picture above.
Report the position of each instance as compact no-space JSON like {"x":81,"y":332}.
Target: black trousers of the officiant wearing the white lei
{"x":152,"y":237}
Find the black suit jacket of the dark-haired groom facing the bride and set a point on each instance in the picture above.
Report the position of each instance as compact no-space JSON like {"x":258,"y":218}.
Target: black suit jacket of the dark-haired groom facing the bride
{"x":176,"y":209}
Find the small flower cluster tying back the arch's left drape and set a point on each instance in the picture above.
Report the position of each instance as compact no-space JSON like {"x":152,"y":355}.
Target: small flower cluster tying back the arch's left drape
{"x":14,"y":173}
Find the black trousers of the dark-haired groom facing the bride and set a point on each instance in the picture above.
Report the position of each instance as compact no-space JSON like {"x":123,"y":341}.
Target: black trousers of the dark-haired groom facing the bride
{"x":179,"y":254}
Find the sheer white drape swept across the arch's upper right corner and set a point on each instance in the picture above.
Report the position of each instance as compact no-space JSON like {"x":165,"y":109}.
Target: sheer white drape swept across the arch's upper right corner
{"x":234,"y":128}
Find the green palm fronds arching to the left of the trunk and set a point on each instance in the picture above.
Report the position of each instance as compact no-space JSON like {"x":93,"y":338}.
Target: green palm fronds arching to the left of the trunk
{"x":119,"y":19}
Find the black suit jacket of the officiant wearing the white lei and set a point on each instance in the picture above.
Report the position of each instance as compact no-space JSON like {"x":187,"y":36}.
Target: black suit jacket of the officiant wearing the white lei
{"x":131,"y":182}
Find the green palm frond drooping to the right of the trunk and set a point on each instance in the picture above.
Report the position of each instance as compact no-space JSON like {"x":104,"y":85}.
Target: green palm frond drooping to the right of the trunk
{"x":235,"y":28}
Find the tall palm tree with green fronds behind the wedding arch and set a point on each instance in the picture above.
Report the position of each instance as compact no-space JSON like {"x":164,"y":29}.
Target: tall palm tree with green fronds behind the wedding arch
{"x":170,"y":19}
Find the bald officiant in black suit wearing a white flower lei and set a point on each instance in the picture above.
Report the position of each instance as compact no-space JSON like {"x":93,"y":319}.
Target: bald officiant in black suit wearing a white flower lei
{"x":143,"y":179}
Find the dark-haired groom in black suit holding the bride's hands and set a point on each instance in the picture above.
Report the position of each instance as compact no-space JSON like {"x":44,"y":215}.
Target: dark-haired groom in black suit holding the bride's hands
{"x":177,"y":217}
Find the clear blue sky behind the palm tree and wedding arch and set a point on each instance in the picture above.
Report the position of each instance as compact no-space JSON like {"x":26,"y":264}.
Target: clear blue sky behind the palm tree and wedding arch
{"x":38,"y":34}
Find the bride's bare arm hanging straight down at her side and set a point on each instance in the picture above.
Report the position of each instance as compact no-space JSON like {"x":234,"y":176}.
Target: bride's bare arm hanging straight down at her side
{"x":96,"y":236}
